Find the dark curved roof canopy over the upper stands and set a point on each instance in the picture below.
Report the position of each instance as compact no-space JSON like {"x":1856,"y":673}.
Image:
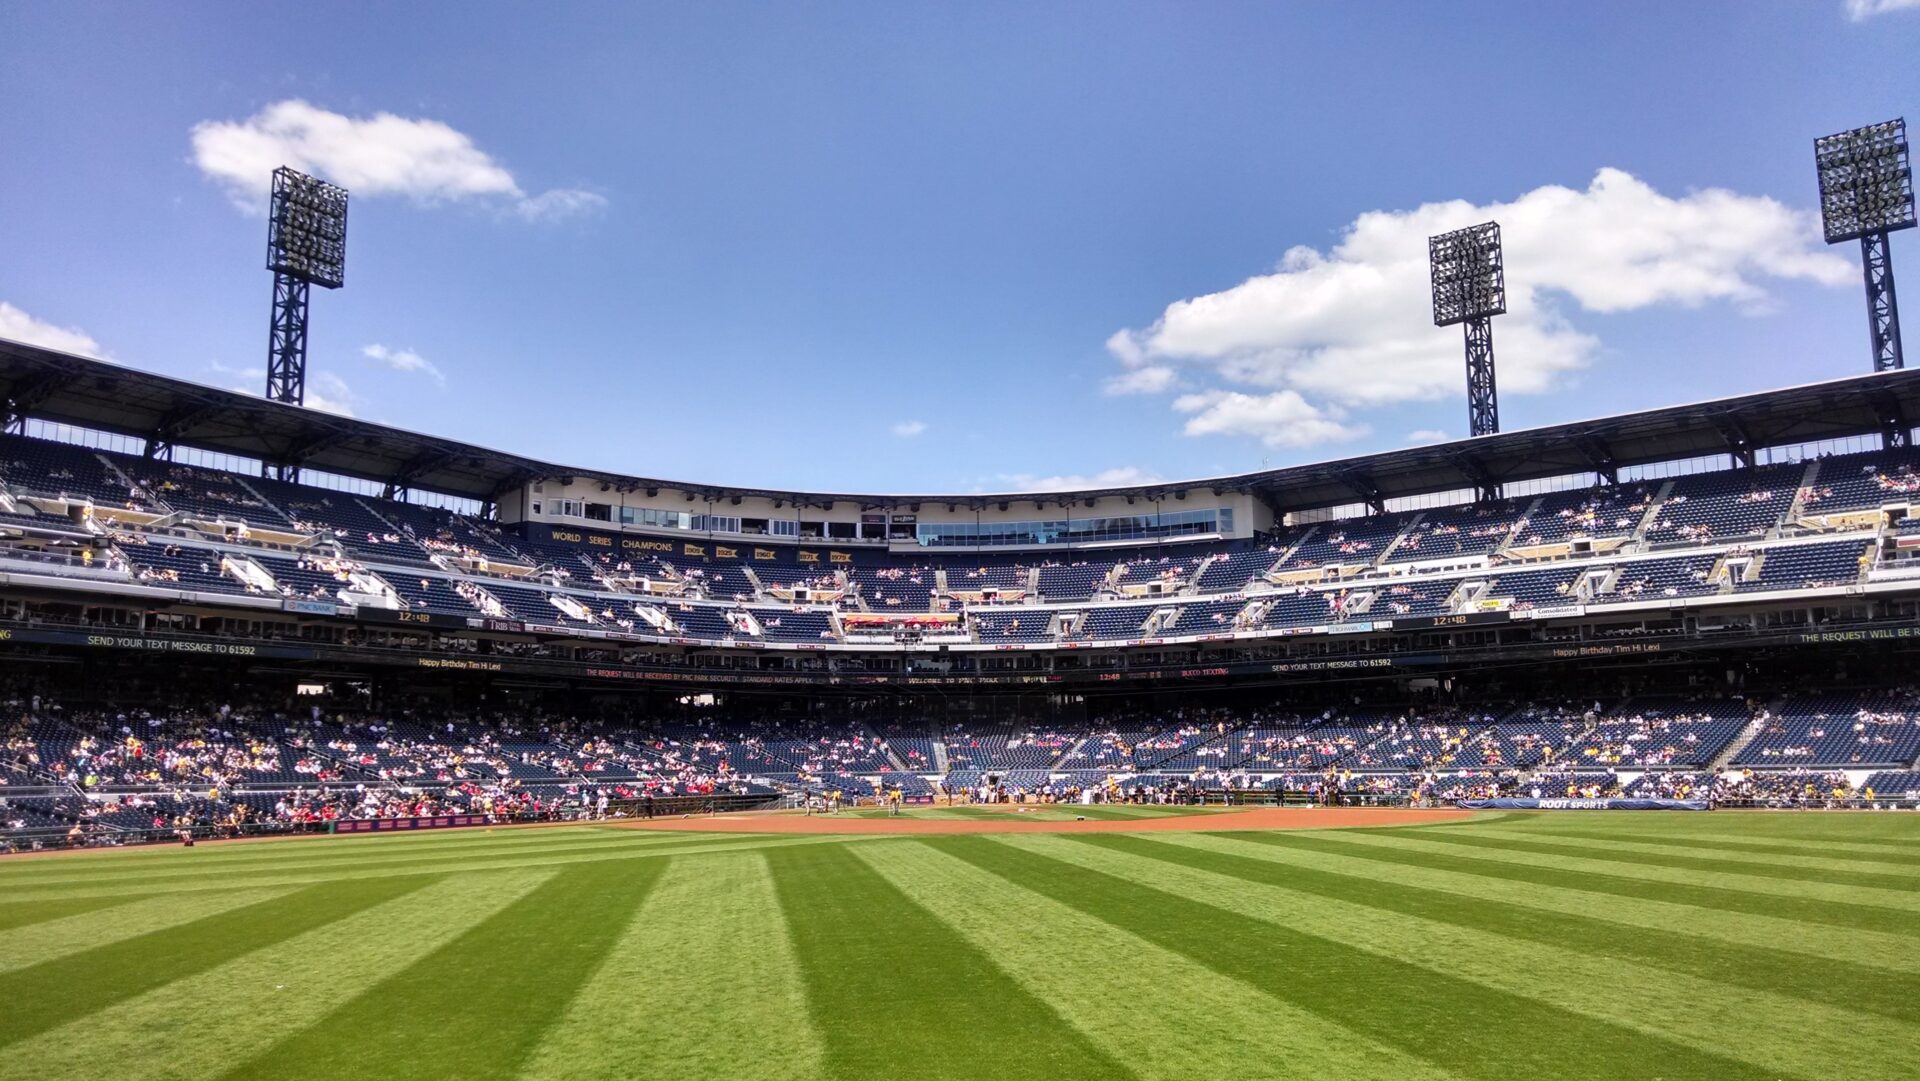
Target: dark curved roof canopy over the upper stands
{"x":62,"y":389}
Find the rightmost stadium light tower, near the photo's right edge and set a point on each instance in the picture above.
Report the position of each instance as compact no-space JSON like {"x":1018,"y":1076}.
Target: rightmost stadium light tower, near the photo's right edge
{"x":1867,"y":191}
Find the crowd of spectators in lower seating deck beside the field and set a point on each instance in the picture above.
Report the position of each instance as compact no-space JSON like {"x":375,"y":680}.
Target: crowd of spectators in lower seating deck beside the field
{"x":112,"y":773}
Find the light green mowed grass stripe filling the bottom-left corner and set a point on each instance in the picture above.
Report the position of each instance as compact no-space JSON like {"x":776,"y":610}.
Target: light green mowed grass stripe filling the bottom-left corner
{"x":203,"y":1024}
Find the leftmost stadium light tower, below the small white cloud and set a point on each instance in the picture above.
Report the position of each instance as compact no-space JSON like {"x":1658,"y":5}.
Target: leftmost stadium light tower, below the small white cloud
{"x":306,"y":247}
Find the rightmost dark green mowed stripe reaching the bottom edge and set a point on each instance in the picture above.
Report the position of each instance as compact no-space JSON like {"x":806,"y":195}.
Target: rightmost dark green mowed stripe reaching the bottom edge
{"x":1464,"y":1026}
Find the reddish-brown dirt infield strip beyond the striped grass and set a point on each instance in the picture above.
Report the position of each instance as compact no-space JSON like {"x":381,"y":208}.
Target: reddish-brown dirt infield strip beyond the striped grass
{"x":1013,"y":823}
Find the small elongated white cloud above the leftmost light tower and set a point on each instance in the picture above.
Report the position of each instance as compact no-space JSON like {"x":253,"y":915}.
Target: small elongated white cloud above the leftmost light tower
{"x":372,"y":156}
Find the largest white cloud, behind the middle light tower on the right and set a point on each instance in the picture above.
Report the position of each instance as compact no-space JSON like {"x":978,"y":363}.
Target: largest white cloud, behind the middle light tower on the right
{"x":1287,"y":356}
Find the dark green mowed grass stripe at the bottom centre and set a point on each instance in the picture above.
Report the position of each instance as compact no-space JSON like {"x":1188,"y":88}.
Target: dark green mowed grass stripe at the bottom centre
{"x":900,"y":994}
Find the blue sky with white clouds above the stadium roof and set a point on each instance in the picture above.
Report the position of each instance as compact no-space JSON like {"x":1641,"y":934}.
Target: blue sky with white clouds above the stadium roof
{"x":909,"y":247}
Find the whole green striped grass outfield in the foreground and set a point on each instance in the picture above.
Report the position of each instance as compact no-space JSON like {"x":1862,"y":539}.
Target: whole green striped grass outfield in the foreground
{"x":1512,"y":948}
